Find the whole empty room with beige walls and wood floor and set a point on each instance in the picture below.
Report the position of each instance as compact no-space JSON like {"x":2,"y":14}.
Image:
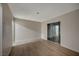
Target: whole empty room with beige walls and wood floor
{"x":39,"y":29}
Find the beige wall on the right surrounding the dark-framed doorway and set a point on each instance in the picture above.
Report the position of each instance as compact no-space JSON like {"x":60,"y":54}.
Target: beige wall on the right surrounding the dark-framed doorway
{"x":69,"y":29}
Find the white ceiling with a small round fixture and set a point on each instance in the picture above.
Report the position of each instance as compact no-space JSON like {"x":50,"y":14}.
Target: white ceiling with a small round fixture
{"x":41,"y":11}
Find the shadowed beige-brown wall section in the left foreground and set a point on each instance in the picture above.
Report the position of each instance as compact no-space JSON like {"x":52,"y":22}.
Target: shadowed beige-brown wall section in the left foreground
{"x":7,"y":29}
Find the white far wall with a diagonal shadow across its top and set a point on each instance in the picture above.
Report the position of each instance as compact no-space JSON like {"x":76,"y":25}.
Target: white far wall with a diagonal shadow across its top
{"x":26,"y":31}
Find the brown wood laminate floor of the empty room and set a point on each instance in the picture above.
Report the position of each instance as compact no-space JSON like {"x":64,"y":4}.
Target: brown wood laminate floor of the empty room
{"x":42,"y":48}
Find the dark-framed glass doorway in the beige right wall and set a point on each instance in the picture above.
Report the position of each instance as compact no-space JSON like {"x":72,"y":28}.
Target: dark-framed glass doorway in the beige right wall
{"x":53,"y":32}
